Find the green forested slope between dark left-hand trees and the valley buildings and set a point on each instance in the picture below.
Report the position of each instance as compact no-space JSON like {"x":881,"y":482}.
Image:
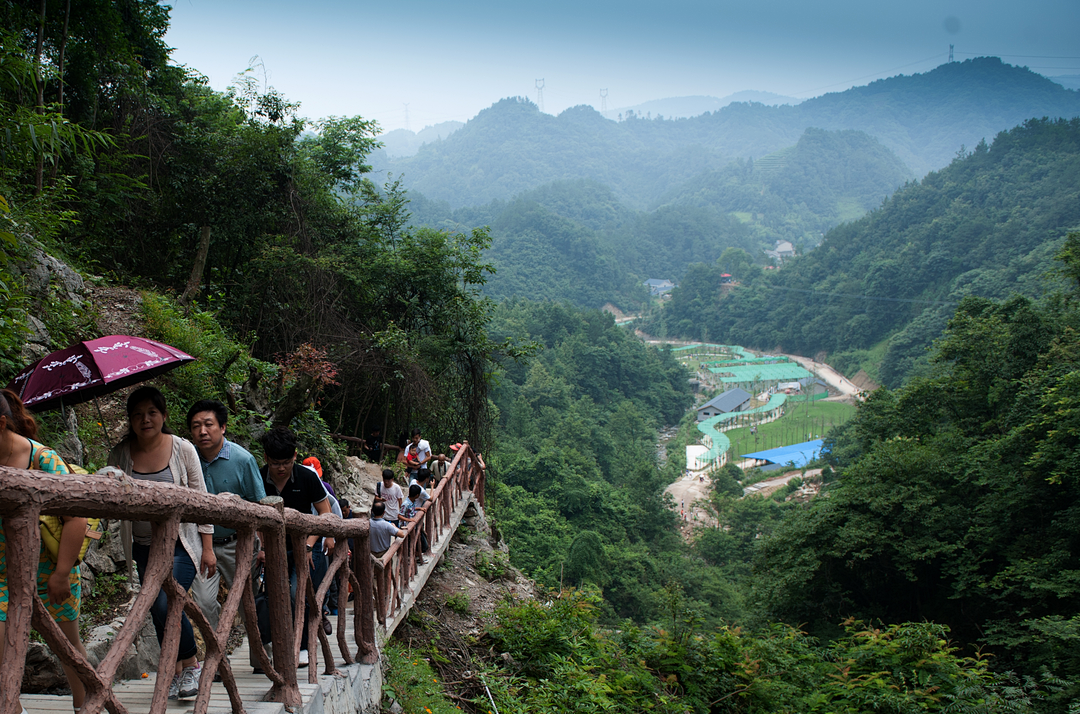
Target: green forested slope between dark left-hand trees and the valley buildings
{"x":578,"y":480}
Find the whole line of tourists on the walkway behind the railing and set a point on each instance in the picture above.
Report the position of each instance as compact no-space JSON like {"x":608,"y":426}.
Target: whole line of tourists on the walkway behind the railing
{"x":206,"y":556}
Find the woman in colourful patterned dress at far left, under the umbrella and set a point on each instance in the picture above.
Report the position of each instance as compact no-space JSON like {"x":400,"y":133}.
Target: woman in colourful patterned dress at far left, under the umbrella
{"x":59,"y":584}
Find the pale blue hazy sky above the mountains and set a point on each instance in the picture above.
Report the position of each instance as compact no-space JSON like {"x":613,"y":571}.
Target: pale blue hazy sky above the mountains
{"x":451,"y":60}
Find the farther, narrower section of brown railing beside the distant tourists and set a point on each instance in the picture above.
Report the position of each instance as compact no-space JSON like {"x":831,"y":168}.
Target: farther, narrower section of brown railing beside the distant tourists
{"x":465,"y":479}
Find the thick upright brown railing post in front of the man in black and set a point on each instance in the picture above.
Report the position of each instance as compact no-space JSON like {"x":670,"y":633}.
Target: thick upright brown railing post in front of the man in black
{"x":281,"y":614}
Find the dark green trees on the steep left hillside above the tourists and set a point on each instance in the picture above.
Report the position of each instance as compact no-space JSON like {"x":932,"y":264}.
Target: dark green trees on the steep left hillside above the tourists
{"x":134,"y":170}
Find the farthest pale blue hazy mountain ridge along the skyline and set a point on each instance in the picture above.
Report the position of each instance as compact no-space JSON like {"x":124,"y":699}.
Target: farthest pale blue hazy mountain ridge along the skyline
{"x":924,"y":119}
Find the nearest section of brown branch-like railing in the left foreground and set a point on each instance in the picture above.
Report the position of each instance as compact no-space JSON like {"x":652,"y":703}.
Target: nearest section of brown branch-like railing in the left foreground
{"x":26,"y":495}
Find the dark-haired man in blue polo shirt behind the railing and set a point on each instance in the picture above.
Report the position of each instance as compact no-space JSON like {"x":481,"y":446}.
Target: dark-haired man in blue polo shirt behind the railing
{"x":228,"y":468}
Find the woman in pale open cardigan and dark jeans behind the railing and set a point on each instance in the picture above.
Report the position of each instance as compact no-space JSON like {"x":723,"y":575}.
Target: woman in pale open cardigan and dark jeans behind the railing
{"x":151,"y":452}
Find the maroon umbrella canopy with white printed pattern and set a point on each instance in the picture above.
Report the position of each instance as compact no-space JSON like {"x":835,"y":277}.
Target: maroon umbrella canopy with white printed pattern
{"x":92,"y":369}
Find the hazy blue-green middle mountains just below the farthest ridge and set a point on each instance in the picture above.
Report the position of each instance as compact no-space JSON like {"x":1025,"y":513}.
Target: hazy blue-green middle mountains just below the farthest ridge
{"x":576,"y":241}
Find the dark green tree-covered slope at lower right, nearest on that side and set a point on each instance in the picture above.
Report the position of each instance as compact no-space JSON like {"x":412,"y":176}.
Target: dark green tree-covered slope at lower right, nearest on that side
{"x":958,"y":502}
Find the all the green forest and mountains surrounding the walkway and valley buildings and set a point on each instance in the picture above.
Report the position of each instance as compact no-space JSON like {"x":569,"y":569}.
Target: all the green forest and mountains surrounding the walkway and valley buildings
{"x":939,"y":571}
